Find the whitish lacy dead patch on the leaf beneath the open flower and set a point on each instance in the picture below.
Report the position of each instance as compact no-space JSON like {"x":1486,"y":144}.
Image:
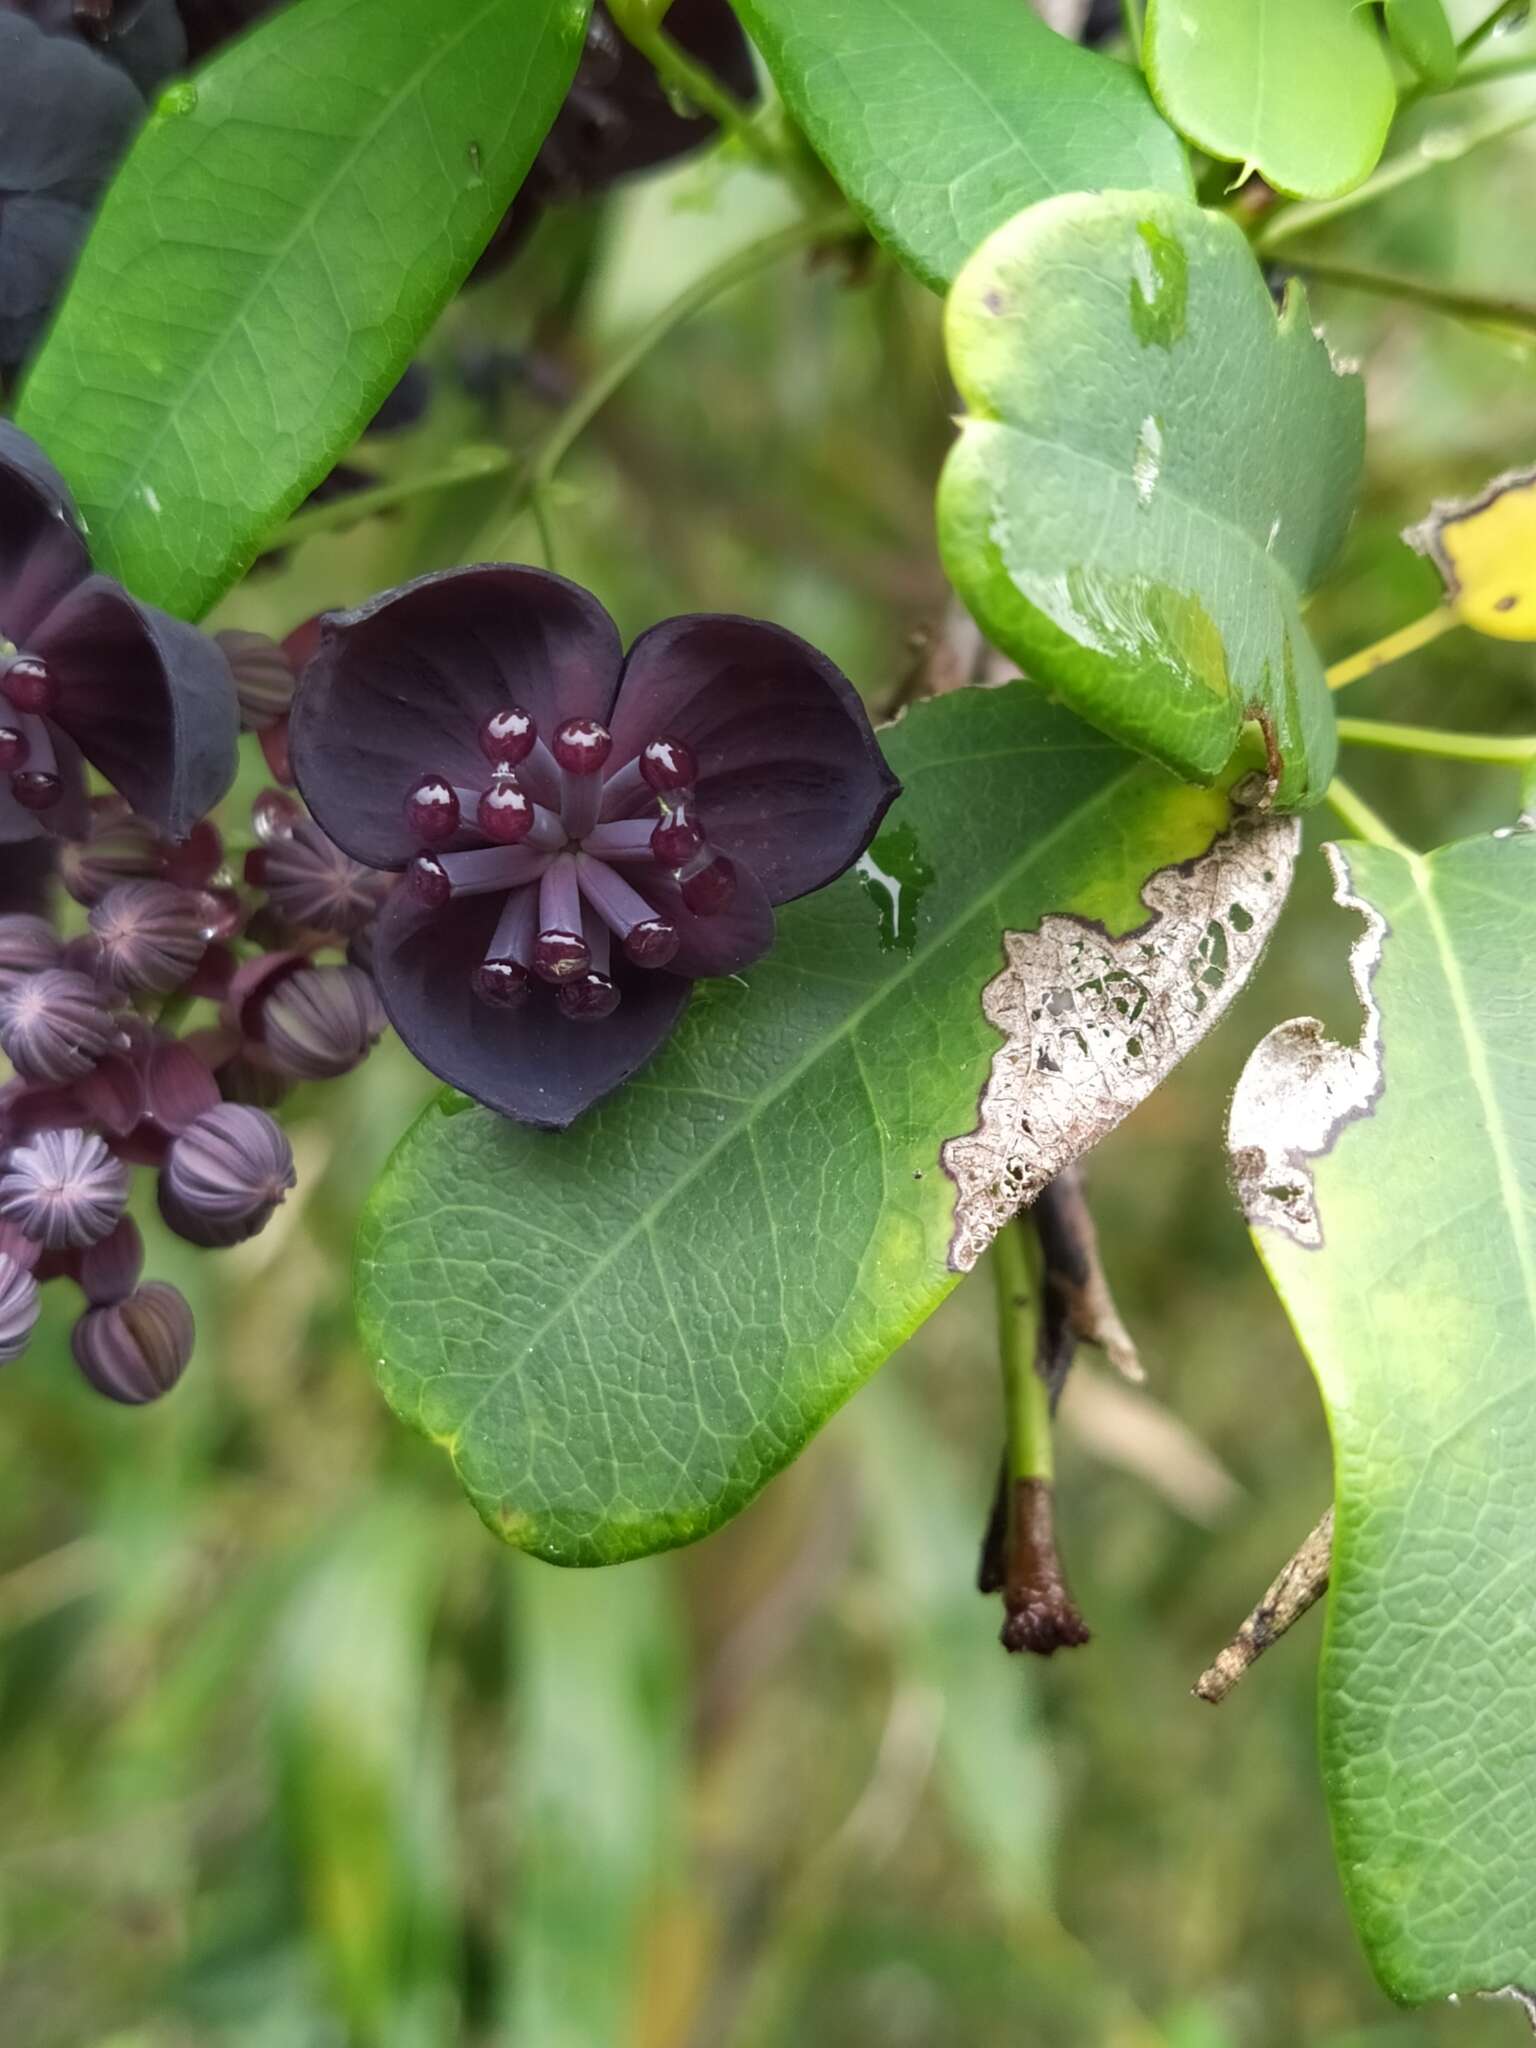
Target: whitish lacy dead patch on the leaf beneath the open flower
{"x":1095,"y":1023}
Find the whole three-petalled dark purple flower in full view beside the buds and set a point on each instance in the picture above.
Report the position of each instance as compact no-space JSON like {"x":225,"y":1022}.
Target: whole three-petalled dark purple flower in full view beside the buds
{"x":587,"y":833}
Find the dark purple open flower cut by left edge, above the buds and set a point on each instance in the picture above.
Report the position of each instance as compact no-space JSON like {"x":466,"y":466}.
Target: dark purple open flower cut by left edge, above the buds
{"x":87,"y":671}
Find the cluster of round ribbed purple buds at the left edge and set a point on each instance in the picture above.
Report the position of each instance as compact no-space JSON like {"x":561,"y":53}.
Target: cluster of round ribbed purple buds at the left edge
{"x":103,"y":1084}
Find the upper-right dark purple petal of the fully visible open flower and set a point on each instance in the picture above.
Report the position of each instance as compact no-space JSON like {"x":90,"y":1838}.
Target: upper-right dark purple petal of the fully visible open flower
{"x":792,"y":779}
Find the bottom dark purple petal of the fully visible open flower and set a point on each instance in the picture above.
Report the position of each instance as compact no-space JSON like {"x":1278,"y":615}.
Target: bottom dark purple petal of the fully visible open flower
{"x":531,"y":1064}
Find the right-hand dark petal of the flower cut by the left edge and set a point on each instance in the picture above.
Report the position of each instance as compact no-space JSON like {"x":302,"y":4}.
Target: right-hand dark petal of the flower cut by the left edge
{"x":148,"y":699}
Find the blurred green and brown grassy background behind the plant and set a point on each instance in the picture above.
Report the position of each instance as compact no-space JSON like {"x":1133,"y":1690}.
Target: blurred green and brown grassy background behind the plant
{"x":296,"y":1756}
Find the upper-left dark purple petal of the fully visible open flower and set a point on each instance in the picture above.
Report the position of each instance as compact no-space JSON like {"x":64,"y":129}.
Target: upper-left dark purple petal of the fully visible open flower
{"x":402,"y":685}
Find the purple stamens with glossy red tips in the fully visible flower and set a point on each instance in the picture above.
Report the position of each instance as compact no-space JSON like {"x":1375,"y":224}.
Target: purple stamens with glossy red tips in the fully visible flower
{"x":579,"y":845}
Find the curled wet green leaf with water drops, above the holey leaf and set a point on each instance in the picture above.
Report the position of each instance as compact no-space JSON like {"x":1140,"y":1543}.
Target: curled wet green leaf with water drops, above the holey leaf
{"x":1152,"y":476}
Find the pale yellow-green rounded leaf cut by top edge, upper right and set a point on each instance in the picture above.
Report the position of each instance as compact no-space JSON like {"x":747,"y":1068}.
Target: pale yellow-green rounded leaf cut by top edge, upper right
{"x":1299,"y":91}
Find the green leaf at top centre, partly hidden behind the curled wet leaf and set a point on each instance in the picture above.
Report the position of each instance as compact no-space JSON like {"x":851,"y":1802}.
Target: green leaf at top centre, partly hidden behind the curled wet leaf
{"x":941,"y":122}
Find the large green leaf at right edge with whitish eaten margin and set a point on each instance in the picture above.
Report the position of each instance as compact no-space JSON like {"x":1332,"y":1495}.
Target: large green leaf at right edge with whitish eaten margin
{"x":1392,"y":1189}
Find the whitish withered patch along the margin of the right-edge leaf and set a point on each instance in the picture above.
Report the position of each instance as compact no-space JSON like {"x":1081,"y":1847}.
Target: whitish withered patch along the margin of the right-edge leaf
{"x":1302,"y":1089}
